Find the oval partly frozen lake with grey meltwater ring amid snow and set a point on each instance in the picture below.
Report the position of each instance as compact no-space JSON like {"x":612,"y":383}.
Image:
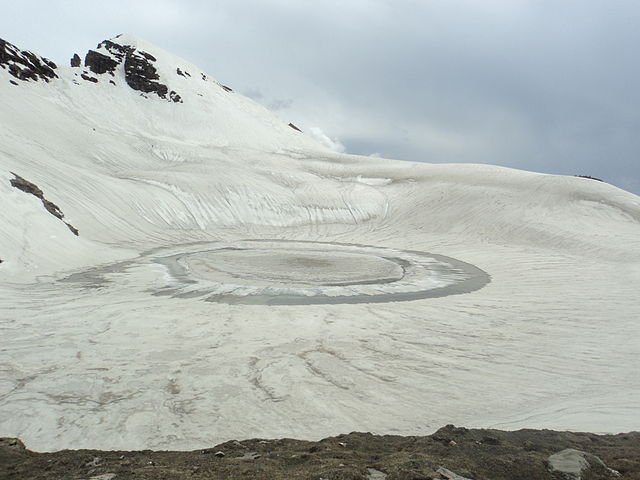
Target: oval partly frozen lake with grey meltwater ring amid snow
{"x":303,"y":273}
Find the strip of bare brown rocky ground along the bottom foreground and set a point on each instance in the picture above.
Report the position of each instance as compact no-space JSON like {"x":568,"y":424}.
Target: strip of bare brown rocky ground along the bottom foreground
{"x":450,"y":453}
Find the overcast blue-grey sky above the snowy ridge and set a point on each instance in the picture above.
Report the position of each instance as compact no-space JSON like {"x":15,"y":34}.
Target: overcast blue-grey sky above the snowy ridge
{"x":543,"y":85}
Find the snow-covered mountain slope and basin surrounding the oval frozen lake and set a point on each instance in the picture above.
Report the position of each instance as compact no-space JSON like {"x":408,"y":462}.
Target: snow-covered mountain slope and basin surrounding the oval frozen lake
{"x":180,"y":267}
